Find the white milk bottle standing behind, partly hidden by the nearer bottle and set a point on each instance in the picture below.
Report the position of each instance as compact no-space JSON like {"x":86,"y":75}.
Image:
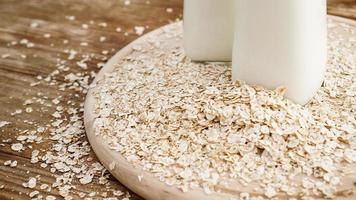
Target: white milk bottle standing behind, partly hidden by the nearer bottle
{"x":208,"y":29}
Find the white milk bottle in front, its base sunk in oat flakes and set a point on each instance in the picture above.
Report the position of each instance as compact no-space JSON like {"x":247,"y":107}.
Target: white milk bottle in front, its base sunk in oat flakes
{"x":281,"y":43}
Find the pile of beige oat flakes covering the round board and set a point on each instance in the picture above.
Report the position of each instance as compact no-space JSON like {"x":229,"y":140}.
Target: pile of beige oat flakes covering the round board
{"x":190,"y":126}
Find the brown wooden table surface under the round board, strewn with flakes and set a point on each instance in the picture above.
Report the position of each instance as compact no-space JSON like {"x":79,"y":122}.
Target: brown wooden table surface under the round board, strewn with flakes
{"x":35,"y":37}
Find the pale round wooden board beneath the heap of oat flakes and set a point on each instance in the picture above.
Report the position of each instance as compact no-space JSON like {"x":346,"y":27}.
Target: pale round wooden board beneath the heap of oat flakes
{"x":150,"y":187}
